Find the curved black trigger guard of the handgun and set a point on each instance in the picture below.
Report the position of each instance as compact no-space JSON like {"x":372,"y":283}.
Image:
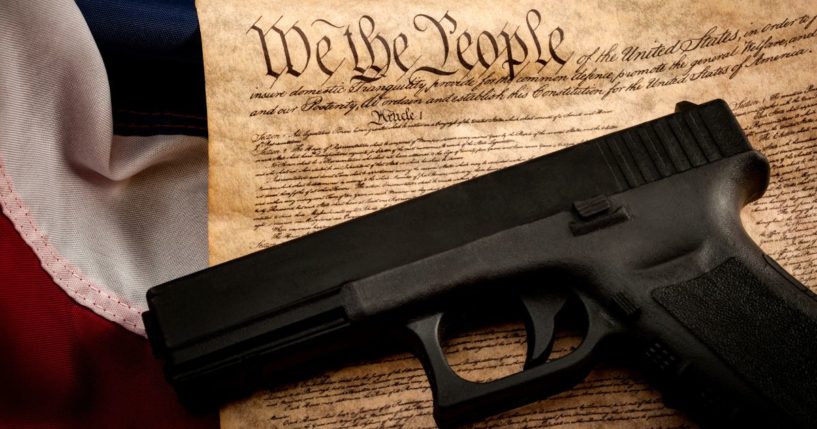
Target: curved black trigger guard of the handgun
{"x":457,"y":400}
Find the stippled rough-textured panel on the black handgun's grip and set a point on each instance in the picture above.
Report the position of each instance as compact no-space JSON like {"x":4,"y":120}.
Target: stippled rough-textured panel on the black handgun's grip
{"x":771,"y":344}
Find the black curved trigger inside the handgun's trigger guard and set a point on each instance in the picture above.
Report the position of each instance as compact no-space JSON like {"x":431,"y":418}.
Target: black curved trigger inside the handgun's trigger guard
{"x":542,"y":305}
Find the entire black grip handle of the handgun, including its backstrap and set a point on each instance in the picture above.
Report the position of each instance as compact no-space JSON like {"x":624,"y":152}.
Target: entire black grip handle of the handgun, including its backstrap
{"x":761,"y":324}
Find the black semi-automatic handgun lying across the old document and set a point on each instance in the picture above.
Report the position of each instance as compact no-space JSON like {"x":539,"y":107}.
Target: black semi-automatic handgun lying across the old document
{"x":640,"y":230}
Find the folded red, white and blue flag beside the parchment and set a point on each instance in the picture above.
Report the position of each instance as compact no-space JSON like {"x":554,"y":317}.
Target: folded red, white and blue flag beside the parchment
{"x":103,"y":188}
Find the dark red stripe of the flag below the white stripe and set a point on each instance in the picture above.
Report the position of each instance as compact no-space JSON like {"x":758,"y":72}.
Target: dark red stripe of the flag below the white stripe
{"x":62,"y":365}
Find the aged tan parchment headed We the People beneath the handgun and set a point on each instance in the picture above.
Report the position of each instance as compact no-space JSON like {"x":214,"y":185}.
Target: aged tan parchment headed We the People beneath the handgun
{"x":325,"y":111}
